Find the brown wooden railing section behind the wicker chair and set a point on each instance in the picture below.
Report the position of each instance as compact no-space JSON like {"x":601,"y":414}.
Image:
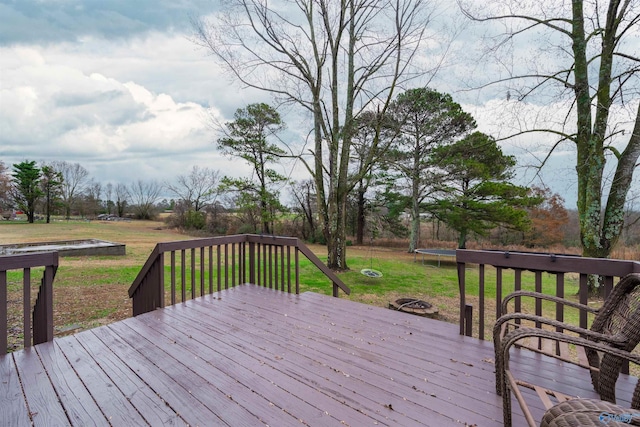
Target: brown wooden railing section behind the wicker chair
{"x":536,"y":264}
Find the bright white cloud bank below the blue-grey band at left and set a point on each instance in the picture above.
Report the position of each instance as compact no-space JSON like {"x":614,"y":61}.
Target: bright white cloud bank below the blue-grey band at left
{"x":60,"y":104}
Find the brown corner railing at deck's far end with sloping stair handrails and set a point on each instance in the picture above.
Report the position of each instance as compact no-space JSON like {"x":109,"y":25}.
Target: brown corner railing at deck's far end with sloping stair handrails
{"x":203,"y":266}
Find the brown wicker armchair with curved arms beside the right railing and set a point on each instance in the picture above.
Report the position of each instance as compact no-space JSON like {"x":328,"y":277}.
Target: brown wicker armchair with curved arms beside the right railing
{"x":615,"y":332}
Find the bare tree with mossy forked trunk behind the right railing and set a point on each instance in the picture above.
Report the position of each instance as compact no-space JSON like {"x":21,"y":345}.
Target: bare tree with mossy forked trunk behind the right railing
{"x":587,"y":58}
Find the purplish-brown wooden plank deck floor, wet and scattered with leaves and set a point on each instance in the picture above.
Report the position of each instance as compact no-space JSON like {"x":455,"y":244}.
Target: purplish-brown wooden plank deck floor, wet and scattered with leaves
{"x":254,"y":356}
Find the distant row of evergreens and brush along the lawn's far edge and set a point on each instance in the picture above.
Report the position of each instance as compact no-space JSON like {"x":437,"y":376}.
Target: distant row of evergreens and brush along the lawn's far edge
{"x":431,"y":163}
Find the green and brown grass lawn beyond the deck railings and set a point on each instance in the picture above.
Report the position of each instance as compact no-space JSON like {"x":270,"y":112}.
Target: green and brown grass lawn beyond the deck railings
{"x":91,"y":291}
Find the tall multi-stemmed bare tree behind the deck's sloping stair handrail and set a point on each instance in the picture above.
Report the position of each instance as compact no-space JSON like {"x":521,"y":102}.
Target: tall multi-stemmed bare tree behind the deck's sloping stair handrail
{"x":335,"y":60}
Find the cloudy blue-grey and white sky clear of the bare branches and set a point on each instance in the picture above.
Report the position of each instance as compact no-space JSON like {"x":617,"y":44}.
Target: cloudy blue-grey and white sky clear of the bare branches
{"x":117,"y":86}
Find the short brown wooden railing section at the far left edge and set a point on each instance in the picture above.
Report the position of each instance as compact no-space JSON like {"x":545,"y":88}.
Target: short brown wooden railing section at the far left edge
{"x":37,"y":319}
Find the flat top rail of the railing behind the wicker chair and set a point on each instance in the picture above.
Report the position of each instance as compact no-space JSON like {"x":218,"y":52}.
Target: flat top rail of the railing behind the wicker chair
{"x":548,"y":262}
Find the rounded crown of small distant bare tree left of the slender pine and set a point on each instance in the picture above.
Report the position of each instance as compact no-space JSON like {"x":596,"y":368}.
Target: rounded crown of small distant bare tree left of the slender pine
{"x":198,"y":189}
